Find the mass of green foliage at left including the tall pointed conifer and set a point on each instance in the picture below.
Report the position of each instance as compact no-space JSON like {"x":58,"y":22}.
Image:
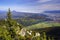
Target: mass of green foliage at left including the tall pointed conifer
{"x":8,"y":28}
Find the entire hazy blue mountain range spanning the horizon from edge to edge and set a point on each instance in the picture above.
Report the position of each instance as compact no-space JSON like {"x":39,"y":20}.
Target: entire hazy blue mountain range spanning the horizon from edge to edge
{"x":54,"y":14}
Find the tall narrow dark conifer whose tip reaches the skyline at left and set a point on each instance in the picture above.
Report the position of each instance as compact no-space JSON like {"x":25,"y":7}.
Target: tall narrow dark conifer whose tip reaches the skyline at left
{"x":10,"y":25}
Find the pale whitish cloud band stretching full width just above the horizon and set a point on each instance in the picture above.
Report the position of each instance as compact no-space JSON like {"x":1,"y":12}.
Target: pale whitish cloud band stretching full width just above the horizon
{"x":33,"y":9}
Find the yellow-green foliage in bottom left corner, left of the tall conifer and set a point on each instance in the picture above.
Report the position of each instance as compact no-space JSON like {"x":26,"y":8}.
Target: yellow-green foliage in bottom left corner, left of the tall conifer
{"x":4,"y":34}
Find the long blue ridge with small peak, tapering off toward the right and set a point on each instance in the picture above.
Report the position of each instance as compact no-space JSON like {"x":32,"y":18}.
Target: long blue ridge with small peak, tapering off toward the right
{"x":20,"y":14}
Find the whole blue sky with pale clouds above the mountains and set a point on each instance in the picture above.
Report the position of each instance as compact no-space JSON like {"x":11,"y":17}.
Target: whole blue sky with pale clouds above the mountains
{"x":32,"y":6}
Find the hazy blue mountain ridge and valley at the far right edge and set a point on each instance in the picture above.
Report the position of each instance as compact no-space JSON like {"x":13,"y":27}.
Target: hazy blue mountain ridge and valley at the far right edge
{"x":53,"y":14}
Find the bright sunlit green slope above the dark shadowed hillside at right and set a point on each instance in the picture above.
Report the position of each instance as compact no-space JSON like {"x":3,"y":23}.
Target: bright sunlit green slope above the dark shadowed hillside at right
{"x":44,"y":25}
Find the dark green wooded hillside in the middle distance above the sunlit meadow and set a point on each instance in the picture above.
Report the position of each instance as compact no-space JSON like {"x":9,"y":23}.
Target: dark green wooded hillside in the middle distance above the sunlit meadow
{"x":28,"y":21}
